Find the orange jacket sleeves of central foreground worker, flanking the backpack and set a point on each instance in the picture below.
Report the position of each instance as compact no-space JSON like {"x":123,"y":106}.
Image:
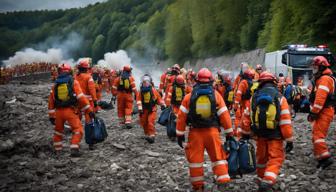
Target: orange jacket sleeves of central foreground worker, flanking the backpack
{"x":222,"y":112}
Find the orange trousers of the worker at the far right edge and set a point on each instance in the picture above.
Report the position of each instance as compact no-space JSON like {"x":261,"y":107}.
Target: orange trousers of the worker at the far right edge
{"x":320,"y":132}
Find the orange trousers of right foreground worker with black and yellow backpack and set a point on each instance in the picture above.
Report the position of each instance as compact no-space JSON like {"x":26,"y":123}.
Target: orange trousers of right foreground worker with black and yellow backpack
{"x":270,"y":156}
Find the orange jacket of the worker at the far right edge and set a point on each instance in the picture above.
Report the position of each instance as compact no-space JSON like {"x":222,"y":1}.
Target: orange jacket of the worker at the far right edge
{"x":324,"y":86}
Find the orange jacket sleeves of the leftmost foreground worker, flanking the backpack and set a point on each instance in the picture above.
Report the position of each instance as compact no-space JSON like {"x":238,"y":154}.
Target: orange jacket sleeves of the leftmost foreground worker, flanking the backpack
{"x":83,"y":102}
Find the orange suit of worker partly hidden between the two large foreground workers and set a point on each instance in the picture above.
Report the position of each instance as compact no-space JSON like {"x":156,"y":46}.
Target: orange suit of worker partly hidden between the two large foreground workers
{"x":242,"y":102}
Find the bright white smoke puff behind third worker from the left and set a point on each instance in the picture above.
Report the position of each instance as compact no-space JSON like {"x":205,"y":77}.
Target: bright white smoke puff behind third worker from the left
{"x":117,"y":60}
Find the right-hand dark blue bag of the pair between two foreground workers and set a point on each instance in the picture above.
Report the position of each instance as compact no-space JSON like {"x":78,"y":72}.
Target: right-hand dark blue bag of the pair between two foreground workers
{"x":247,"y":159}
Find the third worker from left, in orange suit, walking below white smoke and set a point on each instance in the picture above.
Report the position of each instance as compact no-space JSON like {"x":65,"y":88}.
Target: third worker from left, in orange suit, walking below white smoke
{"x":123,"y":87}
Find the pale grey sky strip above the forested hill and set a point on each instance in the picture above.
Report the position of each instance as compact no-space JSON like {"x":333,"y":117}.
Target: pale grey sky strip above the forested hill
{"x":19,"y":5}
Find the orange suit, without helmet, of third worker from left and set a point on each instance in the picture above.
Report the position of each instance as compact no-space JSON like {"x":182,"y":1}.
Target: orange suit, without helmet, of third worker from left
{"x":124,"y":99}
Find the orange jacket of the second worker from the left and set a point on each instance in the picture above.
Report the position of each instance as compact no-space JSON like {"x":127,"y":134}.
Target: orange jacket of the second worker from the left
{"x":87,"y":85}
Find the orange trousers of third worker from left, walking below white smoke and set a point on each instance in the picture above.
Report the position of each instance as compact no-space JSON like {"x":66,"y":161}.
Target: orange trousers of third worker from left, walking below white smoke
{"x":125,"y":107}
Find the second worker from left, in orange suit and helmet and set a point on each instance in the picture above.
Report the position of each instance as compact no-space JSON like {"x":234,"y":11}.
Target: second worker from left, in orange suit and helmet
{"x":87,"y":85}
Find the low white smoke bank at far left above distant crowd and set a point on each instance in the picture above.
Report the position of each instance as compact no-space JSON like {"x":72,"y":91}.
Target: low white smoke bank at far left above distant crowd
{"x":30,"y":55}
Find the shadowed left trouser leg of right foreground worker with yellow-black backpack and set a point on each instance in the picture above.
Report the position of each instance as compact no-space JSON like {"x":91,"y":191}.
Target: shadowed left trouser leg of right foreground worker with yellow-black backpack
{"x":261,"y":156}
